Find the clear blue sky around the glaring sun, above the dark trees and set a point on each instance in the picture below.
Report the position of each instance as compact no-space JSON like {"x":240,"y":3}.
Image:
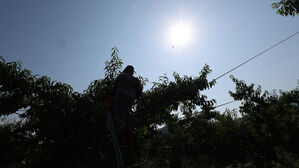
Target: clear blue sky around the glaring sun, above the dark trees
{"x":70,"y":40}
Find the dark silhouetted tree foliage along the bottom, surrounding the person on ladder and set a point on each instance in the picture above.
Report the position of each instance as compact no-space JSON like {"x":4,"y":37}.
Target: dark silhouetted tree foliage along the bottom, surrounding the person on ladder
{"x":62,"y":128}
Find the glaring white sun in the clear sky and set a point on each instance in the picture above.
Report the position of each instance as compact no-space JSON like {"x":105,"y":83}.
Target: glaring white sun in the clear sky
{"x":180,"y":34}
